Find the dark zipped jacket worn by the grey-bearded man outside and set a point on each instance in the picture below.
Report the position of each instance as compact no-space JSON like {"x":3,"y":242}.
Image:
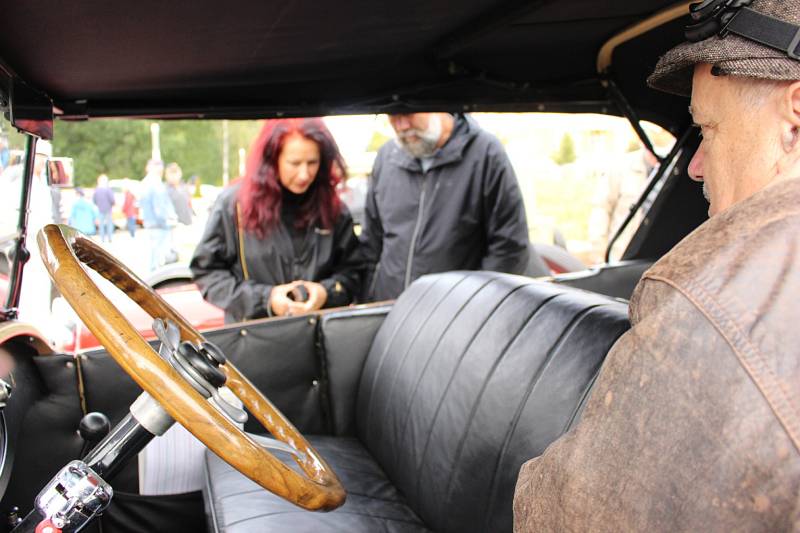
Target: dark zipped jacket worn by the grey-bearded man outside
{"x":464,"y":213}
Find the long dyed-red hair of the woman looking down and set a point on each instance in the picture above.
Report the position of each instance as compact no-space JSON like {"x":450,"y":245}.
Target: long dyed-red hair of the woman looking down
{"x":260,"y":192}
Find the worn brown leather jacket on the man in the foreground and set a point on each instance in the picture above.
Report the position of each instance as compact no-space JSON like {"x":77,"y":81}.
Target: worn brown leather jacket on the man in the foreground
{"x":694,"y":424}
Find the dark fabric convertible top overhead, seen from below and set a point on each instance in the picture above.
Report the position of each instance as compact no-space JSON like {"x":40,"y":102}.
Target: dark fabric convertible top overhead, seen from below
{"x":260,"y":58}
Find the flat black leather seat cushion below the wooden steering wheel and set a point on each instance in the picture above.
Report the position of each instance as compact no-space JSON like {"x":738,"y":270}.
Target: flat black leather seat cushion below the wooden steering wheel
{"x":237,"y":504}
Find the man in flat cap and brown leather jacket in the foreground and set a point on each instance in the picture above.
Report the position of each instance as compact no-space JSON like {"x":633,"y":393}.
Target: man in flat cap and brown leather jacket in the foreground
{"x":694,"y":423}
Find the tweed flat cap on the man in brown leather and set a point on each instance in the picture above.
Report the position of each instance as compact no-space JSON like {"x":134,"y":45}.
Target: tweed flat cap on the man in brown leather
{"x":731,"y":55}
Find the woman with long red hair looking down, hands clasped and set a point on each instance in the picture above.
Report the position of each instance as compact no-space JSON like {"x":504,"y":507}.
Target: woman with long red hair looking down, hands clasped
{"x":279,"y":241}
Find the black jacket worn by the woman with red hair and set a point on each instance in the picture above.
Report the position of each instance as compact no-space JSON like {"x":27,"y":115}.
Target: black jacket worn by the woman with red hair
{"x":330,"y":257}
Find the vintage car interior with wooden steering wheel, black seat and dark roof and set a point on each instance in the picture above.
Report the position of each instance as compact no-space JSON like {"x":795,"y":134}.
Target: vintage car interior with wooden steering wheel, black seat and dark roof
{"x":417,"y":413}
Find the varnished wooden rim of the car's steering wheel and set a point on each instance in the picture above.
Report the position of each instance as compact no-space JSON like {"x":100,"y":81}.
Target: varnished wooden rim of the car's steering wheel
{"x":63,"y":249}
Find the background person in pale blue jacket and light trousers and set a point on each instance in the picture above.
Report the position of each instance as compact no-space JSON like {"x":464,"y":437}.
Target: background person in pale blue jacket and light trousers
{"x":158,"y":215}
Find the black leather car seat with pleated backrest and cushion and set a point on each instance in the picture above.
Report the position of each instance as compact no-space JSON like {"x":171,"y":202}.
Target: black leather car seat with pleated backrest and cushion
{"x":470,"y":375}
